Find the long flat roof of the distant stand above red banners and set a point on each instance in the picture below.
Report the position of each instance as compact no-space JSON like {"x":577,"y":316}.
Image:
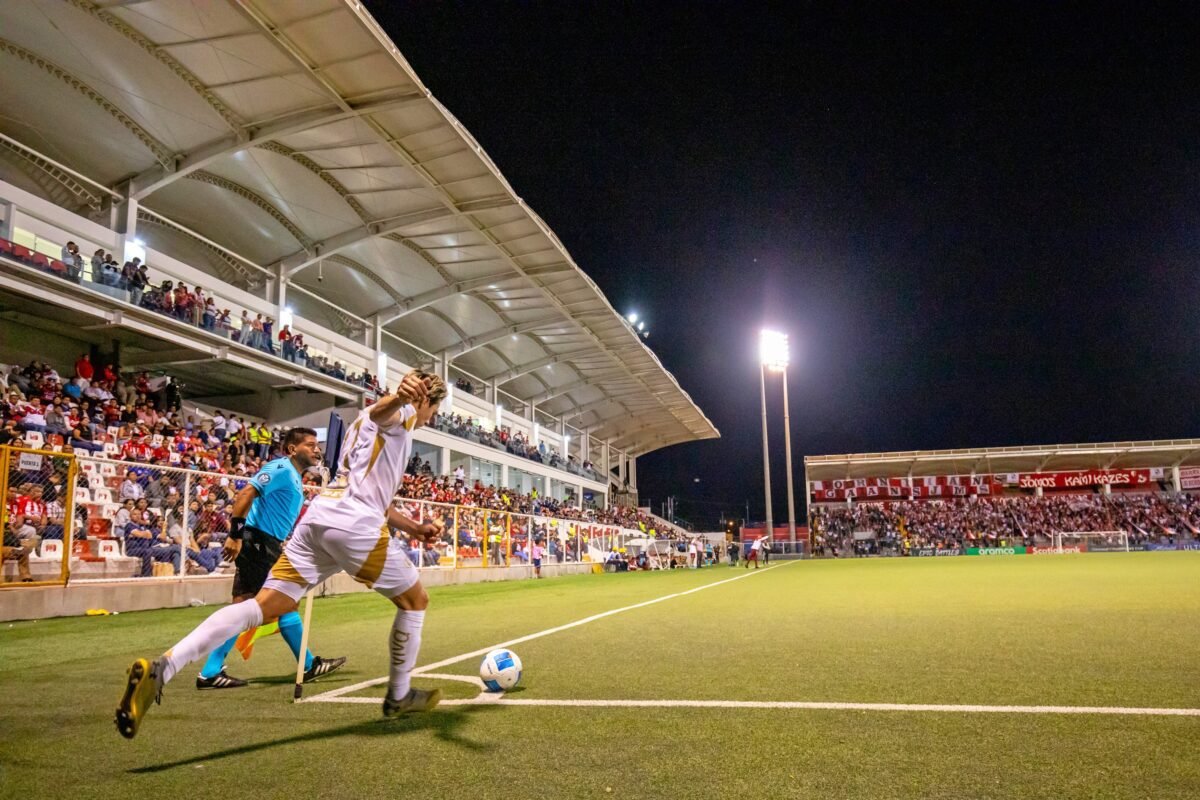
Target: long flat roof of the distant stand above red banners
{"x":991,"y":461}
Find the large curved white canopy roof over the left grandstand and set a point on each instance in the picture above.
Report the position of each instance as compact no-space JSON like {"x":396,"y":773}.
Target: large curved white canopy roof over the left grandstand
{"x":293,"y":134}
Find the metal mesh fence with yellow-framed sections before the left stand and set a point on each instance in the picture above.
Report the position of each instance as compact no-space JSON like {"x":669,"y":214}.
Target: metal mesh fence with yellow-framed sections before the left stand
{"x":131,"y":521}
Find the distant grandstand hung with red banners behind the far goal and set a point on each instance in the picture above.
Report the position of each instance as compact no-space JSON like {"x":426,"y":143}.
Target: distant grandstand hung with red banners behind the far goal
{"x":1120,"y":496}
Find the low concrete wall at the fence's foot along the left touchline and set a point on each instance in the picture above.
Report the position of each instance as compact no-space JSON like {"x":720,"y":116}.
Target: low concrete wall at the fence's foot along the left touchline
{"x":76,"y":600}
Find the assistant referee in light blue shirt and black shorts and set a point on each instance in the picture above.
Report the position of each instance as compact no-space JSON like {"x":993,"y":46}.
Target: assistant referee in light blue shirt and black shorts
{"x":263,"y":515}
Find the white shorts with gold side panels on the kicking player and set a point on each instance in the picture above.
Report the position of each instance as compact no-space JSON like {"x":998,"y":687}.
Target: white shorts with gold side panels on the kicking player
{"x":316,"y":552}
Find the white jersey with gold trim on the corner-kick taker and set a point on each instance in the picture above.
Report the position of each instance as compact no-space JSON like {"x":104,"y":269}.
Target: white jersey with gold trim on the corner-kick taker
{"x":373,"y":462}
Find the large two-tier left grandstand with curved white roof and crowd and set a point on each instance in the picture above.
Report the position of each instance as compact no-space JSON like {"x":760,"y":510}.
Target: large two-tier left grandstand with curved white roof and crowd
{"x":225,"y":220}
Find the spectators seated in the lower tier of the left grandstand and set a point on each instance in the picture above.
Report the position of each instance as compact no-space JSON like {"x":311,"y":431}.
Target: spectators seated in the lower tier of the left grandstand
{"x":136,"y":420}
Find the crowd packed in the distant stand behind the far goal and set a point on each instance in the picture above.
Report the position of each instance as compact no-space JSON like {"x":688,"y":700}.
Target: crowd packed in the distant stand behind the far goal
{"x":991,"y":522}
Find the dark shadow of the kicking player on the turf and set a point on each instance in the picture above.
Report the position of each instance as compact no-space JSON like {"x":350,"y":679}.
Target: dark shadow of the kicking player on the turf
{"x":445,"y":725}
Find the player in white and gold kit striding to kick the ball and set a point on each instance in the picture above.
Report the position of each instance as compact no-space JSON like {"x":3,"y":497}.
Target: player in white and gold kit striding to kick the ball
{"x":347,"y":533}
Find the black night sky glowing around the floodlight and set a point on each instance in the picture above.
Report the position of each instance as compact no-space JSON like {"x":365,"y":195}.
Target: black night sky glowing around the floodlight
{"x":980,"y":227}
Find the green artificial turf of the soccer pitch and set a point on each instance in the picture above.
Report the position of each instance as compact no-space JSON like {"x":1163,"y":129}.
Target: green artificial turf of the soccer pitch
{"x":1073,"y":630}
